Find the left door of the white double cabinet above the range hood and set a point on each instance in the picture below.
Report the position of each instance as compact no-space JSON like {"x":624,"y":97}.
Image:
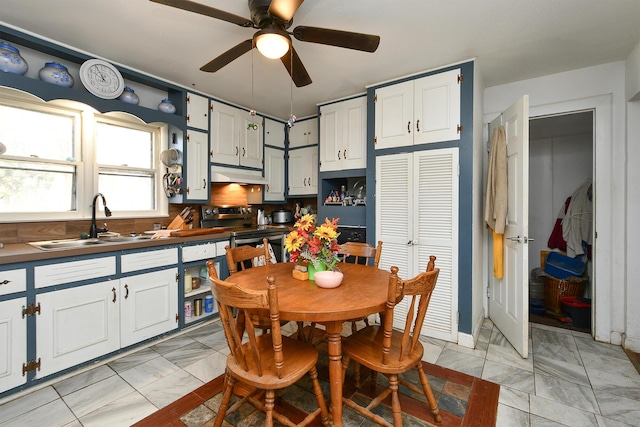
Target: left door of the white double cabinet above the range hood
{"x":224,"y":133}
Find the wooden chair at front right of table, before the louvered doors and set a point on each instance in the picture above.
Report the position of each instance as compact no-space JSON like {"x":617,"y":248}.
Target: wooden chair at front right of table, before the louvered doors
{"x":393,"y":352}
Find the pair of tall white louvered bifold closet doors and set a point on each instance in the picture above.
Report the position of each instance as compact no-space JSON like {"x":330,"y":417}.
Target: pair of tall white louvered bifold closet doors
{"x":417,"y":216}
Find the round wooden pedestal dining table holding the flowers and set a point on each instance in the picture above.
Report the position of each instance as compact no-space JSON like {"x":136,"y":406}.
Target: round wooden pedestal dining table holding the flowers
{"x":363,"y":292}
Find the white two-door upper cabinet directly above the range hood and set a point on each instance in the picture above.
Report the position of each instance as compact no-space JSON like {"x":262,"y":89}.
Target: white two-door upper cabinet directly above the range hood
{"x":236,"y":137}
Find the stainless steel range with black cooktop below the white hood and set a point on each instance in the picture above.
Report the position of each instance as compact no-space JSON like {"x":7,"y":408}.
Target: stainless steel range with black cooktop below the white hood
{"x":239,"y":221}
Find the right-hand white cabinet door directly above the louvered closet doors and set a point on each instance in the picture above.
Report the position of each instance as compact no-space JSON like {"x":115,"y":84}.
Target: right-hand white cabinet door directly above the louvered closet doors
{"x":437,"y":108}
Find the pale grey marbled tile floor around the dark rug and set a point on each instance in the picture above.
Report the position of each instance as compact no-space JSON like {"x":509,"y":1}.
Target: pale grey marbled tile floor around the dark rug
{"x":568,"y":380}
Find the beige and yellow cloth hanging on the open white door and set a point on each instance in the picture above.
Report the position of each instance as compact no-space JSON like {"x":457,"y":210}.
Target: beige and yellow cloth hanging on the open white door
{"x":495,"y":209}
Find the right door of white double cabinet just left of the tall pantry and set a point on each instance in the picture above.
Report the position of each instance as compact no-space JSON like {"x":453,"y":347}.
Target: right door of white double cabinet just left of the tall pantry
{"x":354,"y":134}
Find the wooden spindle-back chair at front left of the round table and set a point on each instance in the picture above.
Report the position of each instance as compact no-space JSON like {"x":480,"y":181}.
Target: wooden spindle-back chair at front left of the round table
{"x":264,"y":363}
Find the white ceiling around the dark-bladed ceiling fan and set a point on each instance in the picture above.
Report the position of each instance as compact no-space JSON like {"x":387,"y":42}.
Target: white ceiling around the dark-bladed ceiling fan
{"x":511,"y":40}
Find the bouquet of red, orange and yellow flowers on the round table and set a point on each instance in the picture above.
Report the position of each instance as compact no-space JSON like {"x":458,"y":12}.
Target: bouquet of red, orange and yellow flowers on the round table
{"x":316,"y":244}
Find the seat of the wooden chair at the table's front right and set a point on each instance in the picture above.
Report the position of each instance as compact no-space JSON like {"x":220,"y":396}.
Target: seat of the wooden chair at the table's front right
{"x":368,"y":341}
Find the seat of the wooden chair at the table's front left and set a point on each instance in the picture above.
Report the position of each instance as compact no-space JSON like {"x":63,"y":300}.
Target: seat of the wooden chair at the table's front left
{"x":299,"y":358}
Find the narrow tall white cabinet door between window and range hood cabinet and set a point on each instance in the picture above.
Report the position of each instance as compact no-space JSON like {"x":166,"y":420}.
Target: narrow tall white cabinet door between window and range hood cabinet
{"x":197,"y":166}
